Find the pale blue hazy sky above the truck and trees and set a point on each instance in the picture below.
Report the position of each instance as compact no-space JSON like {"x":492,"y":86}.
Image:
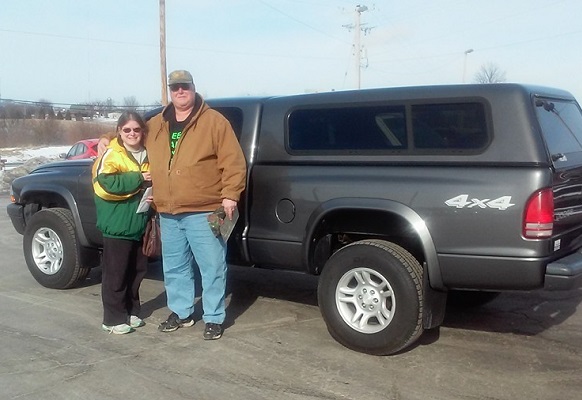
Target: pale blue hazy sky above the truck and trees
{"x":79,"y":51}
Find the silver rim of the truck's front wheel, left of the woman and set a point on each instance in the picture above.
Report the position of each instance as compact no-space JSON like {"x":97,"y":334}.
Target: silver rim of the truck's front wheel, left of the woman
{"x":47,"y":251}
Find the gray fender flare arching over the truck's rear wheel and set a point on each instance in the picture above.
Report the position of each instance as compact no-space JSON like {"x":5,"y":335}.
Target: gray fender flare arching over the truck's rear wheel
{"x":381,"y":205}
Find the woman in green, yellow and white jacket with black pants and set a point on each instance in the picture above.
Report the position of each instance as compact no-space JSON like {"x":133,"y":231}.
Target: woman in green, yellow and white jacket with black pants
{"x":119,"y":177}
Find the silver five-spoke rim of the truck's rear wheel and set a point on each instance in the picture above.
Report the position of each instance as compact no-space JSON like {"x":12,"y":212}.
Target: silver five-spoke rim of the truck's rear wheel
{"x":365,"y":300}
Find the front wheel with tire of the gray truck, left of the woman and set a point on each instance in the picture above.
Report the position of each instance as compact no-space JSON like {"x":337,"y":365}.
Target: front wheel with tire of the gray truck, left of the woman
{"x":50,"y":249}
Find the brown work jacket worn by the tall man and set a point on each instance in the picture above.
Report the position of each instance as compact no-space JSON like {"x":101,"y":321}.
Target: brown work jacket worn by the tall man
{"x":208,"y":164}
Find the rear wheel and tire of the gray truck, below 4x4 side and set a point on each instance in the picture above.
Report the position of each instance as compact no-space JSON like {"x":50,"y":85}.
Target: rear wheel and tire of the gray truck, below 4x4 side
{"x":370,"y":296}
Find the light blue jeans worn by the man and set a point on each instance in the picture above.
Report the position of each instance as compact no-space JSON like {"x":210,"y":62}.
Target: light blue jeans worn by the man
{"x":187,"y":238}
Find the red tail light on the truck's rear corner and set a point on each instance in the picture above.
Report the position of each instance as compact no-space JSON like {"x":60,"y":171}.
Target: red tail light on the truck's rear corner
{"x":539,"y":215}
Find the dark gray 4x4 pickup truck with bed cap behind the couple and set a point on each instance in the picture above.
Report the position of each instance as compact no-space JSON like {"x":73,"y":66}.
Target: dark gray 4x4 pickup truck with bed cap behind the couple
{"x":394,"y":197}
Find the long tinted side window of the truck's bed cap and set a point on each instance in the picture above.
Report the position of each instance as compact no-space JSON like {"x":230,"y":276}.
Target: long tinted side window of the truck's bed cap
{"x":440,"y":128}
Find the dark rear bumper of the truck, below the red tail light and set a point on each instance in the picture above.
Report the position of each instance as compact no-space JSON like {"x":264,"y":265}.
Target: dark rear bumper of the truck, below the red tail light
{"x":565,"y":273}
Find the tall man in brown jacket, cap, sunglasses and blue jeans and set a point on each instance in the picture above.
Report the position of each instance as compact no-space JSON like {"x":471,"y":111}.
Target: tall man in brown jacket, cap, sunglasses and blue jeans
{"x":196,"y":166}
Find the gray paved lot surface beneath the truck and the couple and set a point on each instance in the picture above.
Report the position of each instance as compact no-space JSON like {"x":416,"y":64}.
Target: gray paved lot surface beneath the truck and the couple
{"x":276,"y":346}
